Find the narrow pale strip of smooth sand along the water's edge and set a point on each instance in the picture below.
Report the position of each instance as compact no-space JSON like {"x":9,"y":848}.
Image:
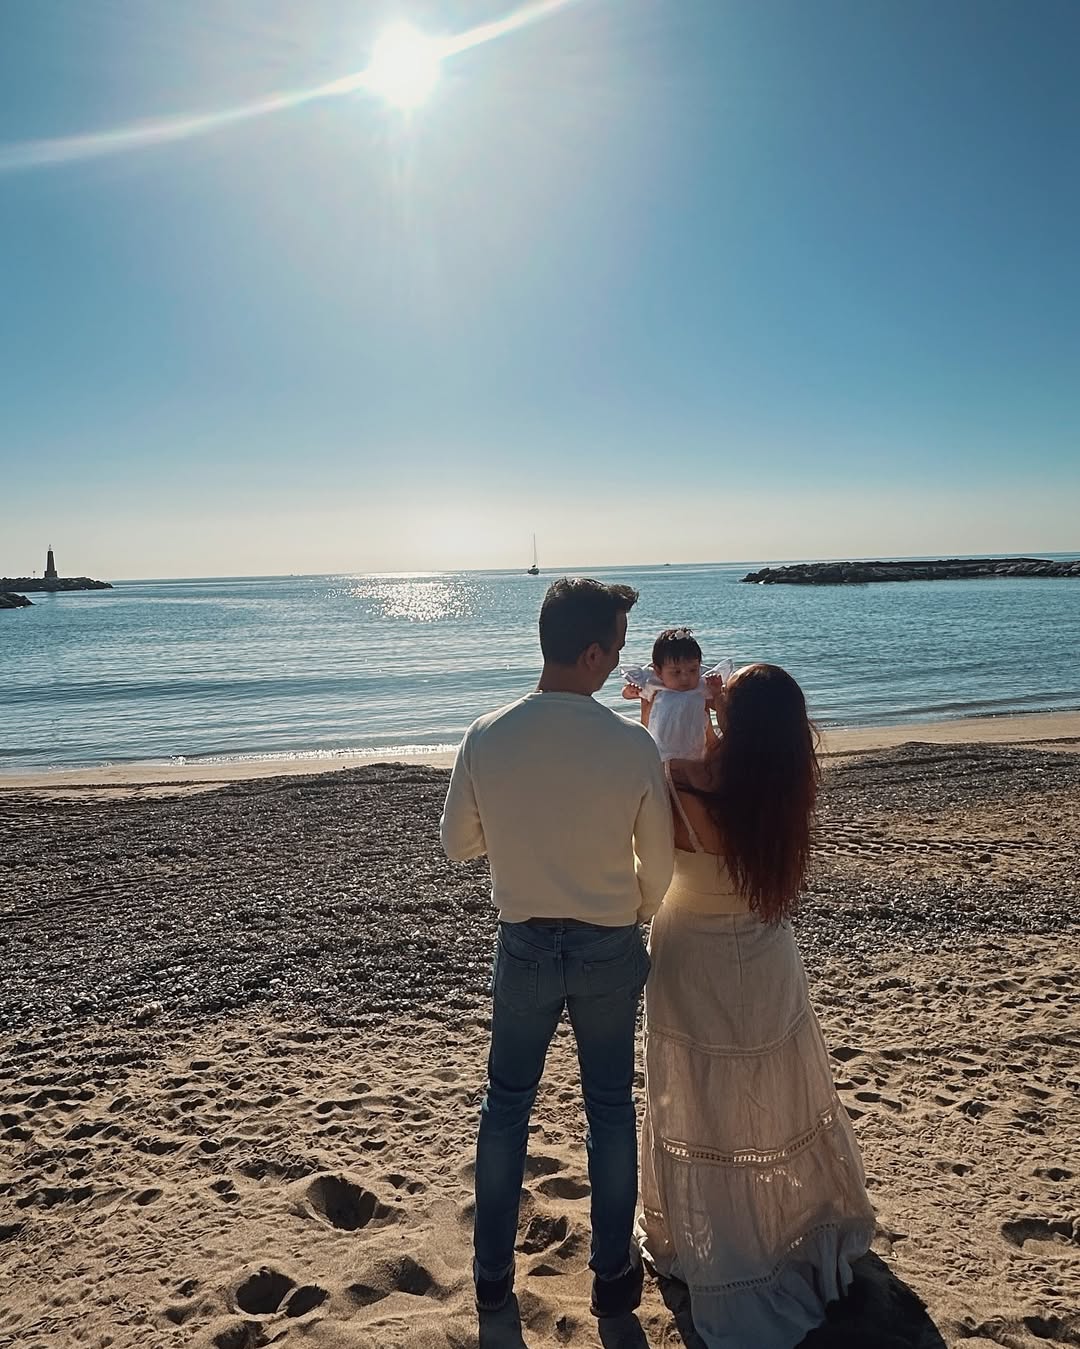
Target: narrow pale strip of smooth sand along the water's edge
{"x":1046,"y":730}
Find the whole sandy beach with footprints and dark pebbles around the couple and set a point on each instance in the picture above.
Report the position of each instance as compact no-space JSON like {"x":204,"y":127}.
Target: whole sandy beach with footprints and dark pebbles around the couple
{"x":243,"y":1035}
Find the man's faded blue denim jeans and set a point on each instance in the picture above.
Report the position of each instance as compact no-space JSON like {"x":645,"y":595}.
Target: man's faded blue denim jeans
{"x":598,"y":975}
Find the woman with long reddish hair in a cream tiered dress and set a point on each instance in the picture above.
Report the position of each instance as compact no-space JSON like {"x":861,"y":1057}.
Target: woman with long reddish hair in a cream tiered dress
{"x":752,"y":1181}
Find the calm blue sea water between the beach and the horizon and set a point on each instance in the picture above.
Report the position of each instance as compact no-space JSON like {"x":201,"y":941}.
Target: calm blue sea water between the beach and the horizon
{"x":330,"y":664}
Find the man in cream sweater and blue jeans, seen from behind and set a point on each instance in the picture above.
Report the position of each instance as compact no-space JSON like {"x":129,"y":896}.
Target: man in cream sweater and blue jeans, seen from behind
{"x":571,"y":806}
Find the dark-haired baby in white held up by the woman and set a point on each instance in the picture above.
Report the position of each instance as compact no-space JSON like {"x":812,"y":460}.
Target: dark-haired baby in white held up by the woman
{"x":676,"y":697}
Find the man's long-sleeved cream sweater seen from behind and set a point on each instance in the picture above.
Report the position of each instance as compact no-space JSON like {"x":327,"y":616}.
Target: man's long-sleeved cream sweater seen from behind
{"x":571,"y":805}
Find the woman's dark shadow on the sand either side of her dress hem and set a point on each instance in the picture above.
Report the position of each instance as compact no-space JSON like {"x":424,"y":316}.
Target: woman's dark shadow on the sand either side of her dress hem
{"x":880,"y":1312}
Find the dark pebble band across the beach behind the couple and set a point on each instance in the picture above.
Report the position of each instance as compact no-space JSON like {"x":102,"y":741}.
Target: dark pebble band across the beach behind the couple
{"x":331,"y":894}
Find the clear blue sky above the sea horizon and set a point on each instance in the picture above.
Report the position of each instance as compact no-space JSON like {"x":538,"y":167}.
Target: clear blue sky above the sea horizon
{"x":659,"y":280}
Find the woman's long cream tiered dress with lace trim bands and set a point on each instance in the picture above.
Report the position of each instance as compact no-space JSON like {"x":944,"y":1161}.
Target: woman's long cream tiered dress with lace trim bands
{"x":752,"y":1180}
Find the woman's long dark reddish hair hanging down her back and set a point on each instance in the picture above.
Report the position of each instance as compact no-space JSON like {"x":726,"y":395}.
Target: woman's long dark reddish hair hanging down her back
{"x":760,"y":786}
